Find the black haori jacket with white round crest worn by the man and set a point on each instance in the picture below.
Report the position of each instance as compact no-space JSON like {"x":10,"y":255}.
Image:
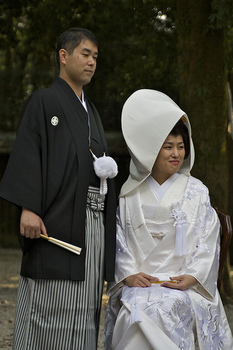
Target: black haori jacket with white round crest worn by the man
{"x":49,"y":173}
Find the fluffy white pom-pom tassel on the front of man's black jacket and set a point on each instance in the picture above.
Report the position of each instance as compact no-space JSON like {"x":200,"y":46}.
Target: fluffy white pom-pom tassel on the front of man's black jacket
{"x":105,"y":167}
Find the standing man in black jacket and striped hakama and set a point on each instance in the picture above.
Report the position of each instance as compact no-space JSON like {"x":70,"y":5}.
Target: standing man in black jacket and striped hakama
{"x":50,"y":176}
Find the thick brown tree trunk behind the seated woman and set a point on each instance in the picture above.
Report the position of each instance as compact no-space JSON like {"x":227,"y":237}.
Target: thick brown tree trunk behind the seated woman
{"x":203,"y":96}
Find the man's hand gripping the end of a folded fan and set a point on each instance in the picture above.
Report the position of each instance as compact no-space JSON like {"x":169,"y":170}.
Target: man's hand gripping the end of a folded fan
{"x":31,"y":225}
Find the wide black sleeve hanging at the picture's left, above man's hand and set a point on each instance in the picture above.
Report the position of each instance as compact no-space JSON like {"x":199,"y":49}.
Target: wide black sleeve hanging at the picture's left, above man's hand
{"x":22,"y":180}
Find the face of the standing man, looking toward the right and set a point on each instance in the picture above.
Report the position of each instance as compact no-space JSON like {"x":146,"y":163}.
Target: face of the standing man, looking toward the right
{"x":79,"y":67}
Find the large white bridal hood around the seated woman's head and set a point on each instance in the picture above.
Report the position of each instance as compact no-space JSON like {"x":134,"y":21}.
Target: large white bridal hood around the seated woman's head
{"x":148,"y":116}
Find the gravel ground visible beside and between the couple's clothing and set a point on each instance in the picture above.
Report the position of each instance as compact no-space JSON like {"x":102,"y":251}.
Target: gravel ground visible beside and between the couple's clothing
{"x":9,"y":275}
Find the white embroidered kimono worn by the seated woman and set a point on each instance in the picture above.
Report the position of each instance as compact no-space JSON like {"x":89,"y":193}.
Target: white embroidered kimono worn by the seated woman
{"x":167,"y":231}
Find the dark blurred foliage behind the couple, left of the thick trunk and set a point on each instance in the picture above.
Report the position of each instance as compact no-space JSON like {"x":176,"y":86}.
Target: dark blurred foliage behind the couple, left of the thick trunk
{"x":136,"y":43}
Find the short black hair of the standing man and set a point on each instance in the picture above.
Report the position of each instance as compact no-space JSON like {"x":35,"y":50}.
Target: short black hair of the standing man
{"x":71,"y":38}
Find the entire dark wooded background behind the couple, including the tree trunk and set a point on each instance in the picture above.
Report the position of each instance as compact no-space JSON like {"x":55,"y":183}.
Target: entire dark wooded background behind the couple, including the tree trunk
{"x":182,"y":48}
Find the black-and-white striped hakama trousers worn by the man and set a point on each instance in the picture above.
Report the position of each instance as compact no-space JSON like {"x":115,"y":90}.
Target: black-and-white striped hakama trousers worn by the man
{"x":63,"y":314}
